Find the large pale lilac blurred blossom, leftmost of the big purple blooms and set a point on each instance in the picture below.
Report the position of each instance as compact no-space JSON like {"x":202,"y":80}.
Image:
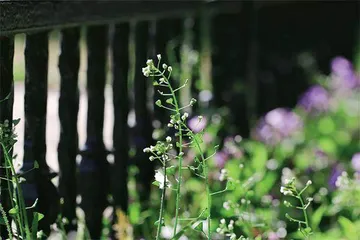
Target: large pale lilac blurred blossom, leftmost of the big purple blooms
{"x":277,"y":125}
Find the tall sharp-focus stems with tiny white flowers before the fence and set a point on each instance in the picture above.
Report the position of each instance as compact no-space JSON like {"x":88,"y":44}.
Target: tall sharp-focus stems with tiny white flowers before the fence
{"x":161,"y":151}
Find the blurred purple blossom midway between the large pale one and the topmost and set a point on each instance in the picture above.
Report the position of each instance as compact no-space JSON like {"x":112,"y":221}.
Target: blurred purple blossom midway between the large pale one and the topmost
{"x":315,"y":99}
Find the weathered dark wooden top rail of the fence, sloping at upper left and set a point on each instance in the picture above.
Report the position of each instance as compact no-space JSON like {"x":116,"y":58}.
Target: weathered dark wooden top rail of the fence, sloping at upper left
{"x":24,"y":16}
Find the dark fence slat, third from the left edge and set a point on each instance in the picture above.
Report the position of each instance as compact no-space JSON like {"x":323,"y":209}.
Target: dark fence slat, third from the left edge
{"x":69,"y":63}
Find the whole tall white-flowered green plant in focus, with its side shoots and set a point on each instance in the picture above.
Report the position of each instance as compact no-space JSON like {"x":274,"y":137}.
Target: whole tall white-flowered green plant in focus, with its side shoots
{"x":164,"y":151}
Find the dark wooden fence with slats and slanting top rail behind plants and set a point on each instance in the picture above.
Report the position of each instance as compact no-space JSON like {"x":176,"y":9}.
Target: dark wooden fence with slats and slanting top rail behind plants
{"x":254,"y":48}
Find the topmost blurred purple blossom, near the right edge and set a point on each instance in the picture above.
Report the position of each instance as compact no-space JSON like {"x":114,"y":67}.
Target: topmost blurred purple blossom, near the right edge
{"x":343,"y":73}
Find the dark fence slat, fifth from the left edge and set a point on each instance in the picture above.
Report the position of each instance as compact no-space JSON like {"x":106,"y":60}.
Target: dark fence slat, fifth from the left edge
{"x":120,"y":68}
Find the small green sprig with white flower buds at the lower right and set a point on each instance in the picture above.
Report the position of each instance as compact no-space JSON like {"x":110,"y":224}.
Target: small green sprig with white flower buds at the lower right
{"x":289,"y":189}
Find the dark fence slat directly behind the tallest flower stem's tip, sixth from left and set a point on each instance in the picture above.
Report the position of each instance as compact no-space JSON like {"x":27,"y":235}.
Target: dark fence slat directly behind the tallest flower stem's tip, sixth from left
{"x":143,"y":128}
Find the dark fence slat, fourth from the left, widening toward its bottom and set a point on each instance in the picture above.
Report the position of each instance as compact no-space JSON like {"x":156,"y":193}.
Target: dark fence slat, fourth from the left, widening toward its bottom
{"x":94,"y":177}
